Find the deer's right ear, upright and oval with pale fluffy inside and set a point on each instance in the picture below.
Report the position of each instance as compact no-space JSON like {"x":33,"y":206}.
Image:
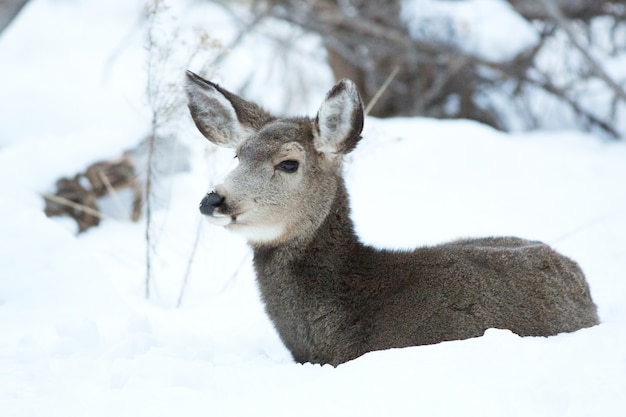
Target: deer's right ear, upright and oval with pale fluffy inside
{"x":339,"y":122}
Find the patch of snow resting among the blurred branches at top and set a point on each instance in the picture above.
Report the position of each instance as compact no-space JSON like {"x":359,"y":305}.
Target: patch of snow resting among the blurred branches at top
{"x":489,"y":29}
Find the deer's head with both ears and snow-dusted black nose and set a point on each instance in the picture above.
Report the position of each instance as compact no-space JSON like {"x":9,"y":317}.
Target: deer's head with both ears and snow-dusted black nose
{"x":289,"y":168}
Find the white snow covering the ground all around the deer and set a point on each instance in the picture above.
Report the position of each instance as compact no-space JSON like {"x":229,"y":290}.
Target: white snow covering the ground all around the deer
{"x":79,"y":338}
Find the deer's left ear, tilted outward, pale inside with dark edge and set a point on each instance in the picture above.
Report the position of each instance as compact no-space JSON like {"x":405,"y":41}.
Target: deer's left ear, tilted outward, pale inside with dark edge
{"x":221,"y":116}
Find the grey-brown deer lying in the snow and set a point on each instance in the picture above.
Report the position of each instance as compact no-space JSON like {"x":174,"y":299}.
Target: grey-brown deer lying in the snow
{"x":331,"y":298}
